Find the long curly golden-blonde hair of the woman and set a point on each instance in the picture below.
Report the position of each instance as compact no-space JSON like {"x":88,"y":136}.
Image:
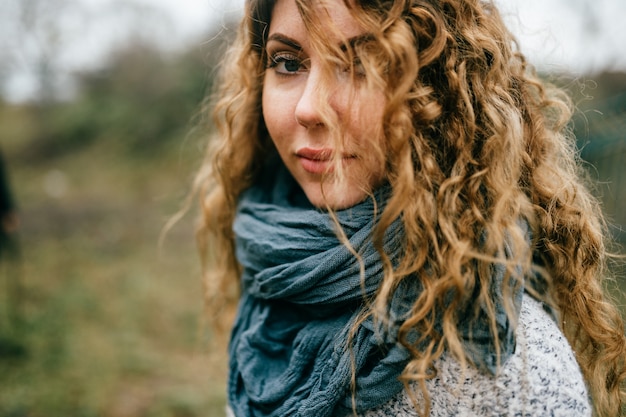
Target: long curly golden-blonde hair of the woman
{"x":474,"y":142}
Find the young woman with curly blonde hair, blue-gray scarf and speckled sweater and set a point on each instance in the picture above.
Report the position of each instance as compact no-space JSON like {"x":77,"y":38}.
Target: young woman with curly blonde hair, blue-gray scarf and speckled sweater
{"x":393,"y":196}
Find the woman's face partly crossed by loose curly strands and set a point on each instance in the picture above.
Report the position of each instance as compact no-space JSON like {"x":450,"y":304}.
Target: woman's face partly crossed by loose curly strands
{"x":292,"y":104}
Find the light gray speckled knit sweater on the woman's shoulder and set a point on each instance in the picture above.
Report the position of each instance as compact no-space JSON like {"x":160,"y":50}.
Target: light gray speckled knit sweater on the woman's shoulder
{"x":542,"y":378}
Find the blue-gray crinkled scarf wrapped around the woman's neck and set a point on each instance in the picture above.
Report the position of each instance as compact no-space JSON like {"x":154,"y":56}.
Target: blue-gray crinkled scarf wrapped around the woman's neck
{"x":302,"y":291}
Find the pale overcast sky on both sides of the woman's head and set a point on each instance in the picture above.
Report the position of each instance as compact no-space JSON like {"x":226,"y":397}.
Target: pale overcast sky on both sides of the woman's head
{"x":578,"y":36}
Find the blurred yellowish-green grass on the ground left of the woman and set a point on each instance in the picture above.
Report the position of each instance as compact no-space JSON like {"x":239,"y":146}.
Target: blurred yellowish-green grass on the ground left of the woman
{"x":109,"y":323}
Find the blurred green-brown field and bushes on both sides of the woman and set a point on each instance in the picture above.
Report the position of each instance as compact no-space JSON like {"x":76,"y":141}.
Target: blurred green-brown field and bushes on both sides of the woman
{"x":97,"y":318}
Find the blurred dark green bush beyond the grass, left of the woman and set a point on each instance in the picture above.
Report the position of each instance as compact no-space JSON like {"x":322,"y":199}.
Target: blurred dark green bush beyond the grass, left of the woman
{"x":141,"y":99}
